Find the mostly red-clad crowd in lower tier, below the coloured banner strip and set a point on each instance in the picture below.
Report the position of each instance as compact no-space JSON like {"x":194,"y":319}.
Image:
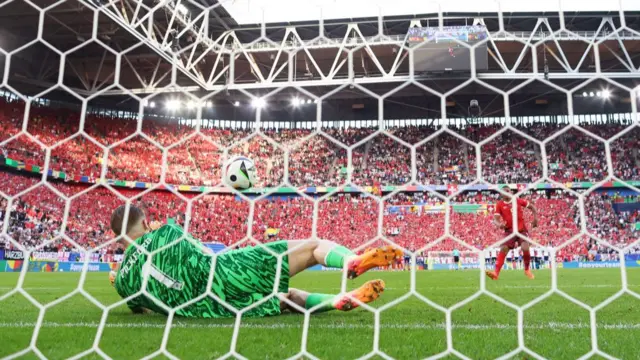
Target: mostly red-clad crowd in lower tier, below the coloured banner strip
{"x":408,"y":219}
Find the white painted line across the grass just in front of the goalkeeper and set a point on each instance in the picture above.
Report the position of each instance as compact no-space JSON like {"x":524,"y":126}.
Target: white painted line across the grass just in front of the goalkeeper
{"x":436,"y":326}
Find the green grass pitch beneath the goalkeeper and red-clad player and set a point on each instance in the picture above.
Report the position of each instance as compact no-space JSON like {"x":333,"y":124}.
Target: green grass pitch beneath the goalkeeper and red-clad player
{"x":482,"y":329}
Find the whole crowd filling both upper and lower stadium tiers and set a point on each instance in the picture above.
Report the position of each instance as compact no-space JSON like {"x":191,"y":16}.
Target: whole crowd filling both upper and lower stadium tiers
{"x":412,"y":220}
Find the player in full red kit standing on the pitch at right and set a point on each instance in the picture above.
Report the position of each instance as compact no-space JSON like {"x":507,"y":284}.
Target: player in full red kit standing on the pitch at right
{"x":503,"y":218}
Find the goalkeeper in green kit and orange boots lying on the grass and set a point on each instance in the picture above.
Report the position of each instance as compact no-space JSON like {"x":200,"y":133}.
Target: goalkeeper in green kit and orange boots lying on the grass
{"x":179,"y":273}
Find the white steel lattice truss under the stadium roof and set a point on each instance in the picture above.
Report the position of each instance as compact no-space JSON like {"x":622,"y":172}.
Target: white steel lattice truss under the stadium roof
{"x":198,"y":47}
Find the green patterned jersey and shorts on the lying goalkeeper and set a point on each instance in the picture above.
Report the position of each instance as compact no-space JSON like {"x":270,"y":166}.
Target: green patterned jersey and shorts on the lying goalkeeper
{"x":179,"y":274}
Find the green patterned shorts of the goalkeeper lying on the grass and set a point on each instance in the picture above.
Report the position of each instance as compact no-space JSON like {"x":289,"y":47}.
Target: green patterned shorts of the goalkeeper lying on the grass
{"x":247,"y":278}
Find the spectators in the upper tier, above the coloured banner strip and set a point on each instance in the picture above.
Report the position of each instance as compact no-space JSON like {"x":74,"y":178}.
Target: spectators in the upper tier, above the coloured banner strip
{"x":313,"y":160}
